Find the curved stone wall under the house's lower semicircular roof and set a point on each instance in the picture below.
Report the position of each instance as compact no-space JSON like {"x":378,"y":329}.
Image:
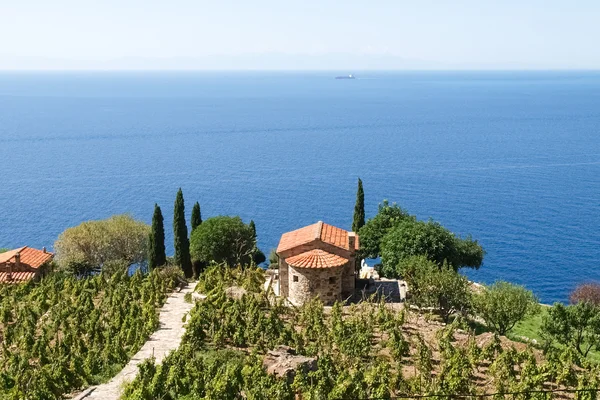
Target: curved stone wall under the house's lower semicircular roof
{"x":306,"y":283}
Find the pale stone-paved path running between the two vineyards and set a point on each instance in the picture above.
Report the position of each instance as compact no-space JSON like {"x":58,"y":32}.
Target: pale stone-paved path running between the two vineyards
{"x":166,"y":338}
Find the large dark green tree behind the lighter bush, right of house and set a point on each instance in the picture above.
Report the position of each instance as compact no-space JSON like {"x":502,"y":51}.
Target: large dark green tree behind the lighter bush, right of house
{"x":411,"y":237}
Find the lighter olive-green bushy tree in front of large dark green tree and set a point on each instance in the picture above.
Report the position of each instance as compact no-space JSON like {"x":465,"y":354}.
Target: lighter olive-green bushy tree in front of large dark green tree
{"x":441,"y":288}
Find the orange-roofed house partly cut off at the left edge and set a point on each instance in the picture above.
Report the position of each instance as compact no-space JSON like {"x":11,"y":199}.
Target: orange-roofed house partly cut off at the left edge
{"x":23,"y":264}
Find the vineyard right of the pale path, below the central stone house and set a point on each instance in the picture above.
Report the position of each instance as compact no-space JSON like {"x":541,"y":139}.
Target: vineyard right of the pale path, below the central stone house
{"x":367,"y":350}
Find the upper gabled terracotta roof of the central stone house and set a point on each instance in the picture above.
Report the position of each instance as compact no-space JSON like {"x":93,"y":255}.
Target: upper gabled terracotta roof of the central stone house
{"x":319,"y":231}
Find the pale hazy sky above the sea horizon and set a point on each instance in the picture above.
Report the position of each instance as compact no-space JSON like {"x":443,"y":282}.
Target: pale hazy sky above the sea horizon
{"x":307,"y":34}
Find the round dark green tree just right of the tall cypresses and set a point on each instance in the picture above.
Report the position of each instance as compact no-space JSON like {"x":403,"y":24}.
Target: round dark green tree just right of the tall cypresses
{"x":223,"y":239}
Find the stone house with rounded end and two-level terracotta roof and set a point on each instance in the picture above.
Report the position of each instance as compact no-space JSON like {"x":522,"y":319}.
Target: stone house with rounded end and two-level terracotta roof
{"x":319,"y":259}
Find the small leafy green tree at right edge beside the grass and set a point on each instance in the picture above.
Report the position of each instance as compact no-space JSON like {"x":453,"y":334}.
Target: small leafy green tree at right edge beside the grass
{"x":577,"y":326}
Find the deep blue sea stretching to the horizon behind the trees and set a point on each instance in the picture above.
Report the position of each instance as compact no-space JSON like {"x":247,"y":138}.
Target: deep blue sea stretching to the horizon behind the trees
{"x":512,"y":158}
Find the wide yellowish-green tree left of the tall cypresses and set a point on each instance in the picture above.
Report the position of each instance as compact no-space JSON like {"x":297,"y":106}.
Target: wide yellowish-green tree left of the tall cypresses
{"x":91,"y":244}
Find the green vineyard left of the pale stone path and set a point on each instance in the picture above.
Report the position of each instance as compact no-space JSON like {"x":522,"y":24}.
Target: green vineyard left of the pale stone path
{"x":65,"y":332}
